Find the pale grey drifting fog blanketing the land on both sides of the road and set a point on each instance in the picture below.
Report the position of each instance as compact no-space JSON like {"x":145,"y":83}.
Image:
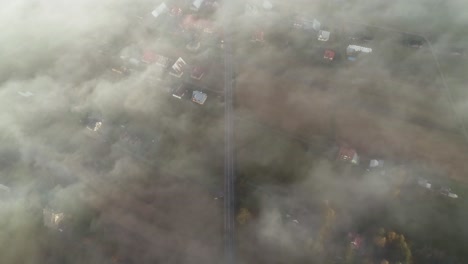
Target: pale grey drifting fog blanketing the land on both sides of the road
{"x":160,"y":200}
